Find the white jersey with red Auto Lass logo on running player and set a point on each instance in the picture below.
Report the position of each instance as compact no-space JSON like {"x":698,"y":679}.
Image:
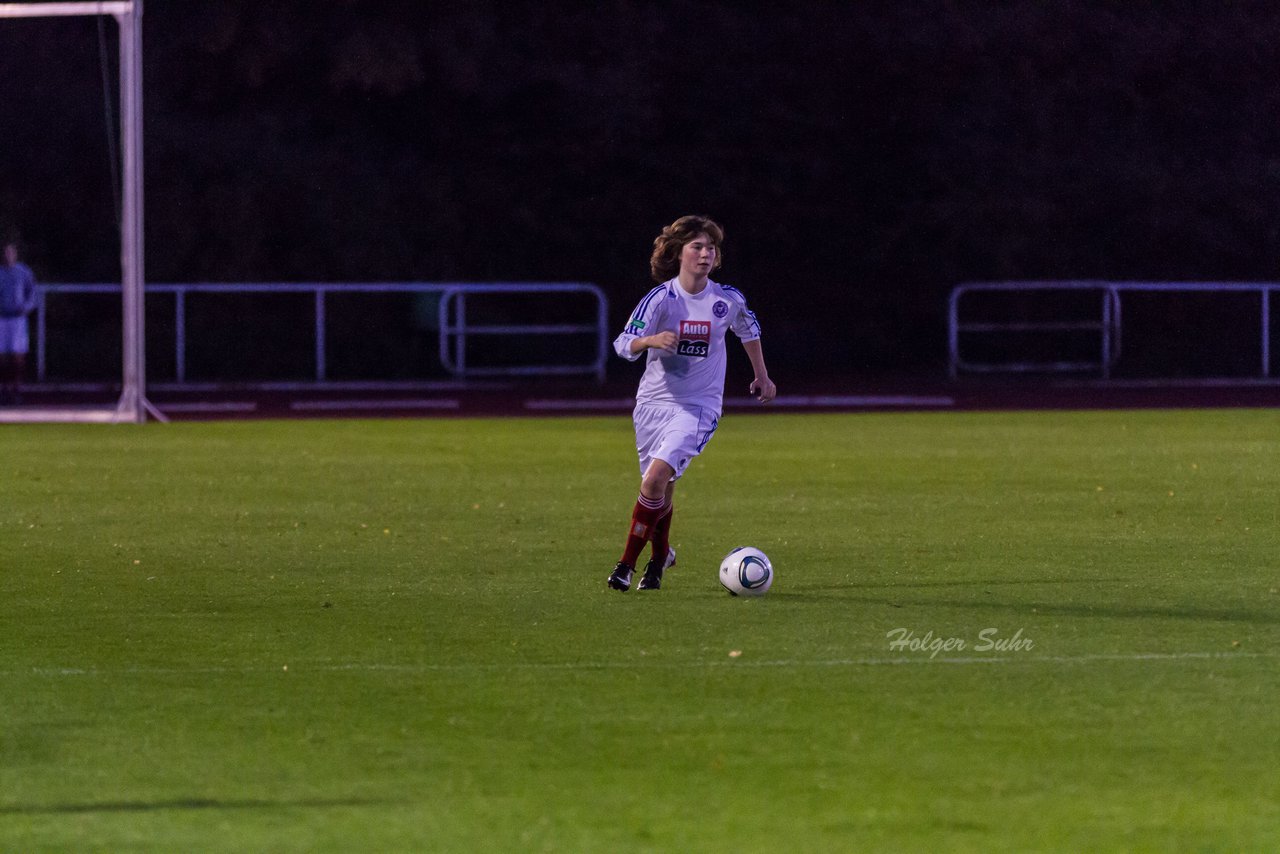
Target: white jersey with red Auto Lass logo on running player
{"x":694,"y":376}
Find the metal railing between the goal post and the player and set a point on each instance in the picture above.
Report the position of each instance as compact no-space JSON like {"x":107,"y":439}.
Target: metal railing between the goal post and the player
{"x":458,"y":334}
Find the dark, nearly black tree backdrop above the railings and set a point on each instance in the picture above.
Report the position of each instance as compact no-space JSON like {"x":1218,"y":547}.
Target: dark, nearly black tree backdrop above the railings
{"x":863,"y":157}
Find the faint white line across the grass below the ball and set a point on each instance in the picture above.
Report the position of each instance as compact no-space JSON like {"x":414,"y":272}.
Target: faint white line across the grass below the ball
{"x":650,"y":665}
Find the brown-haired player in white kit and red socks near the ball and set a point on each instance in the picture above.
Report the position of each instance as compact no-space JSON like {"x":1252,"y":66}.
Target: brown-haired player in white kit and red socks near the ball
{"x":680,"y":328}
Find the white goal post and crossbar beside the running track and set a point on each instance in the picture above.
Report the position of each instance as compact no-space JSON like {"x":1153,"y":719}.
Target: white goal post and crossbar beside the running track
{"x":134,"y":404}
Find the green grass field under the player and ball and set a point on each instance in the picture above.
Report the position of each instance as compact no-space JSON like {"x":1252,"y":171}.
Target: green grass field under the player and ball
{"x":395,"y":636}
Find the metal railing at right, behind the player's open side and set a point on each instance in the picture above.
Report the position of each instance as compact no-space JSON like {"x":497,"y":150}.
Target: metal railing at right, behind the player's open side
{"x":1109,"y":323}
